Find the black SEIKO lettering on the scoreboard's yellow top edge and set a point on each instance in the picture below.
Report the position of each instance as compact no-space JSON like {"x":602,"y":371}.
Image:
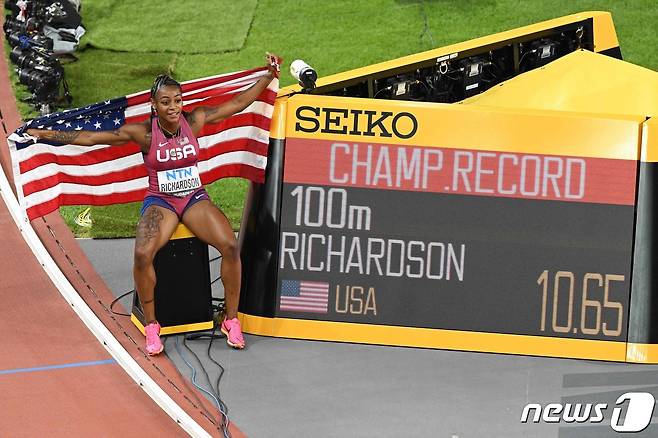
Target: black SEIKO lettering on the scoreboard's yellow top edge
{"x":356,"y":122}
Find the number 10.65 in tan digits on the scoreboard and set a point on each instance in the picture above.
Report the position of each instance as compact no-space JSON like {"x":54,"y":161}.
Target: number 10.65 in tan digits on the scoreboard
{"x":592,"y":311}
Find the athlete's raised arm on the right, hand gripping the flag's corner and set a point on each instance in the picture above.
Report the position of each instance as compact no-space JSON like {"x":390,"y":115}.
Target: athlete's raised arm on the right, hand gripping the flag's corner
{"x":212,"y":114}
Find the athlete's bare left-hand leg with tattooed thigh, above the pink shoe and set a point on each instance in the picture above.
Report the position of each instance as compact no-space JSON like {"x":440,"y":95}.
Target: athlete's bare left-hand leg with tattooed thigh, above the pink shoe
{"x":154,"y":229}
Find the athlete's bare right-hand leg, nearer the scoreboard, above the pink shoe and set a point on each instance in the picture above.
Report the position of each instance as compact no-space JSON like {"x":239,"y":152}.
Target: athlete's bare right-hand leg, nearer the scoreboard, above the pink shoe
{"x":209,"y":224}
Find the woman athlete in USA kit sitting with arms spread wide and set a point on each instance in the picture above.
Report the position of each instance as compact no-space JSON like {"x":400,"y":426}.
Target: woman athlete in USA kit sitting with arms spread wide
{"x":169,"y":146}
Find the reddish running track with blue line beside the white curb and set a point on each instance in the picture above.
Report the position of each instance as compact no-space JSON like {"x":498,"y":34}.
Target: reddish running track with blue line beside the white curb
{"x":56,"y":379}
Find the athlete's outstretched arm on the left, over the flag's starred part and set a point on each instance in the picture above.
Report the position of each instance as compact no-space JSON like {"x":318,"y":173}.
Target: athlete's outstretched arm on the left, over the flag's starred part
{"x":129,"y":132}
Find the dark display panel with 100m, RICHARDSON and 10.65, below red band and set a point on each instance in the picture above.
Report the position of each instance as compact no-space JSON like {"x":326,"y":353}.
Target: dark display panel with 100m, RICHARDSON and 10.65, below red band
{"x":487,"y":264}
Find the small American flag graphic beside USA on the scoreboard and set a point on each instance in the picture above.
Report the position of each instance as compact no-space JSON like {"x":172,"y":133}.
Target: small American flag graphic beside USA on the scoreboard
{"x":304,"y":296}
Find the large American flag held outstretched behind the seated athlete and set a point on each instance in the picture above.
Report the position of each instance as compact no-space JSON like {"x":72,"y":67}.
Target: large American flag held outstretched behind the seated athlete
{"x":49,"y":174}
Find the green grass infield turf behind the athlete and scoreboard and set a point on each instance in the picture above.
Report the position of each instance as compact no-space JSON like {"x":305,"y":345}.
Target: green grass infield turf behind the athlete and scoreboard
{"x":128,"y":43}
